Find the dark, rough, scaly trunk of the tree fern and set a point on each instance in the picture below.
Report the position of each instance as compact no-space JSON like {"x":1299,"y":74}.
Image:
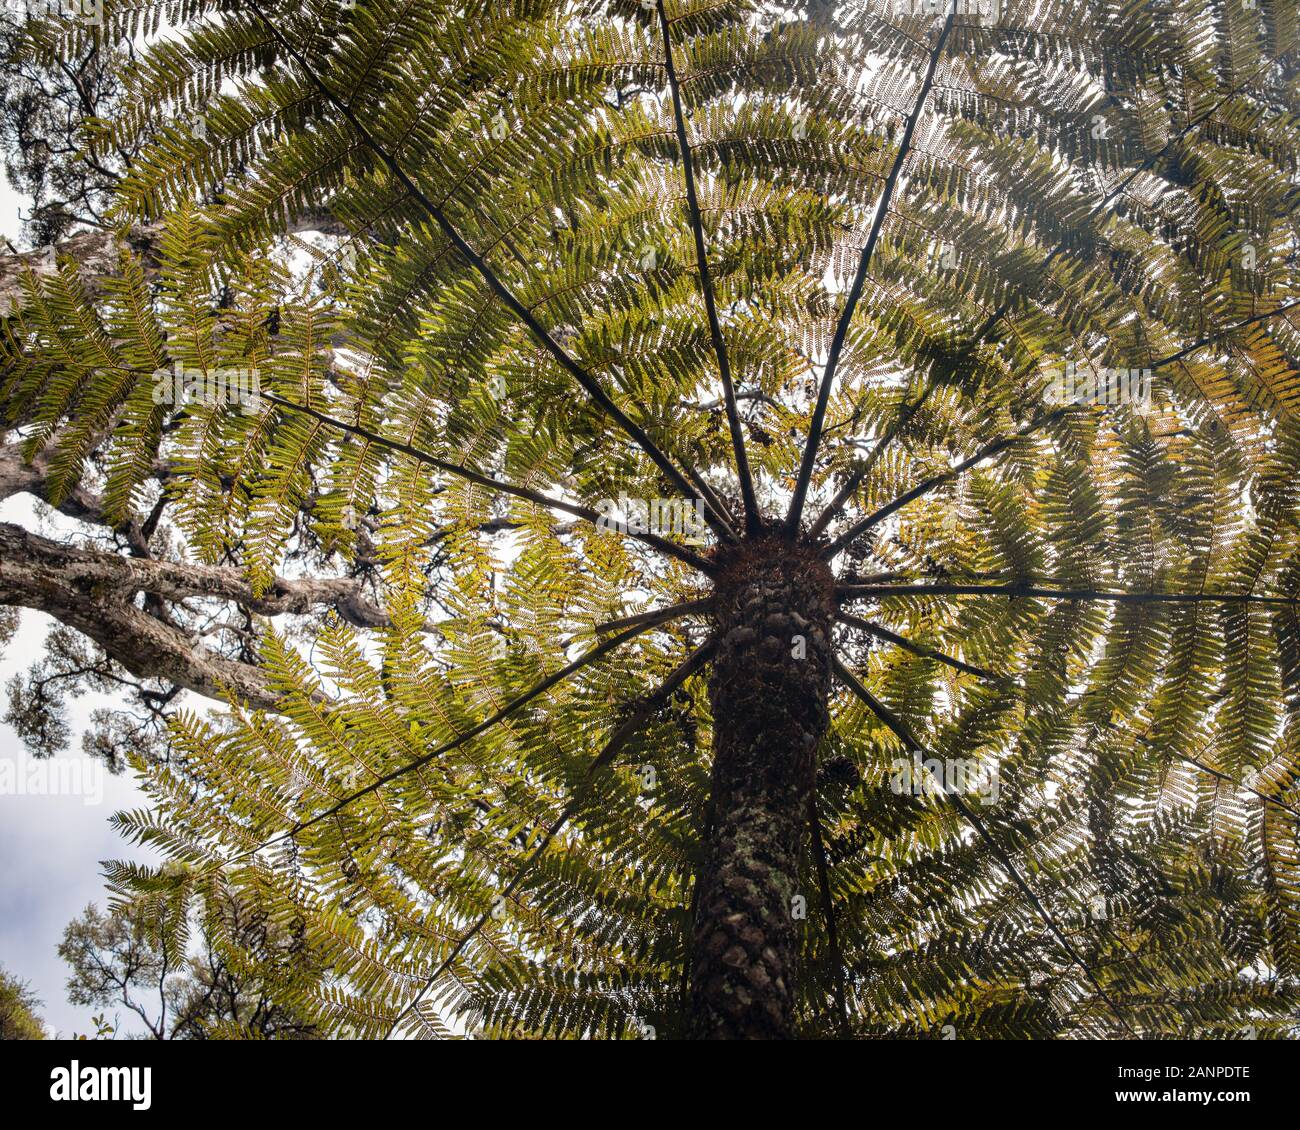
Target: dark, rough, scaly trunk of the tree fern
{"x":770,"y":685}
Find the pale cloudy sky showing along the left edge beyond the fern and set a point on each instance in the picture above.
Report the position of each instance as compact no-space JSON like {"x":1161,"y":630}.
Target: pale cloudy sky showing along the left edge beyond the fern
{"x":51,"y":847}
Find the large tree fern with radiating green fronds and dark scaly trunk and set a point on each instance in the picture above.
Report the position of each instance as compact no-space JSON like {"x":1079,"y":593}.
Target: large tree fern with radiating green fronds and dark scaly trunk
{"x":814,"y":270}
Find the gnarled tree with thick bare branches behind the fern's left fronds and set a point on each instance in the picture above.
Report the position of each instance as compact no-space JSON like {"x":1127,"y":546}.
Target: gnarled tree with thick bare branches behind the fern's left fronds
{"x":57,"y":96}
